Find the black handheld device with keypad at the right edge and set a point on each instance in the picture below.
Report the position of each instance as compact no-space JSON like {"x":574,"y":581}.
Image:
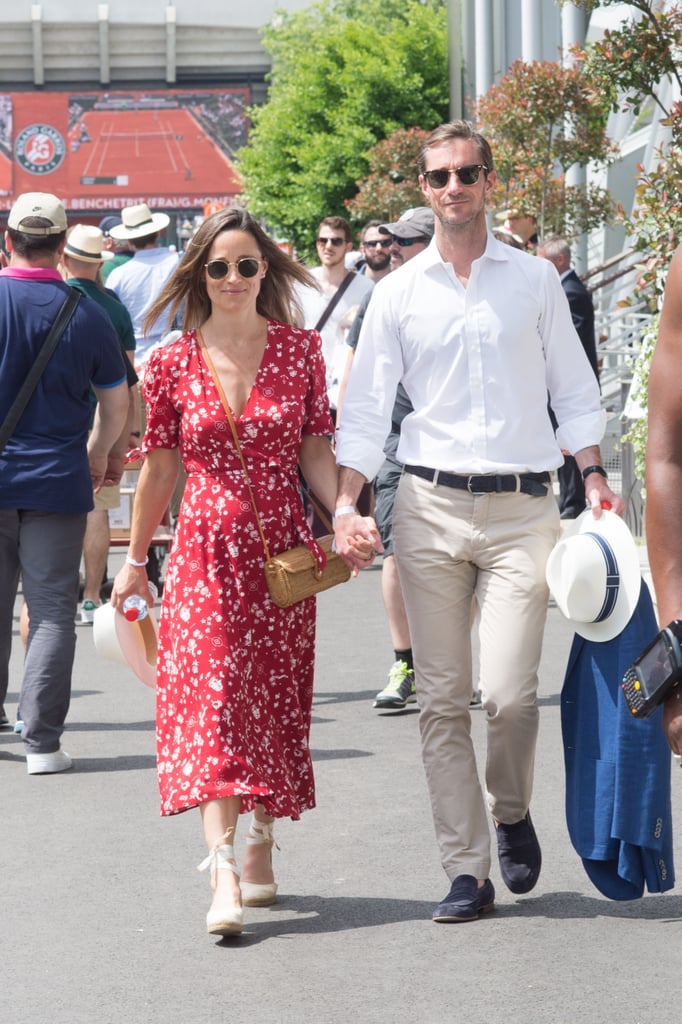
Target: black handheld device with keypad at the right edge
{"x":656,"y":673}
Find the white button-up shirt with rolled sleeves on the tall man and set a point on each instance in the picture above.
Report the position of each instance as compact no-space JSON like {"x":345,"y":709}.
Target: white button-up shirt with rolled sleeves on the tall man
{"x":478,"y":364}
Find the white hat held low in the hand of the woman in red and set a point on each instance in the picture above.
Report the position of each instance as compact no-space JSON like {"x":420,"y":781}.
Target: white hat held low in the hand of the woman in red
{"x":129,"y":644}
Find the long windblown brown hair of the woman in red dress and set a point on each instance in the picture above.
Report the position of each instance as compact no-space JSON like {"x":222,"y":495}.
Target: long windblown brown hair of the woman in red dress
{"x":186,"y":291}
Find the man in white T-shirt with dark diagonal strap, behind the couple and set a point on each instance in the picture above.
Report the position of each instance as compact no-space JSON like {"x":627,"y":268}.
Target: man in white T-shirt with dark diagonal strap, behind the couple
{"x":334,"y":241}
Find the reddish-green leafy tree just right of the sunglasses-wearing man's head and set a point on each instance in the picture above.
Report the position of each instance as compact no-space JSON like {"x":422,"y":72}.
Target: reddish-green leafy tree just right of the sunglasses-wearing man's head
{"x":542,"y":119}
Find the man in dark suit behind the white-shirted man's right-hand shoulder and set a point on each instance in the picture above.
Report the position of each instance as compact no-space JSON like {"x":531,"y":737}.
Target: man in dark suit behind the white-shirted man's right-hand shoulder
{"x":558,"y":251}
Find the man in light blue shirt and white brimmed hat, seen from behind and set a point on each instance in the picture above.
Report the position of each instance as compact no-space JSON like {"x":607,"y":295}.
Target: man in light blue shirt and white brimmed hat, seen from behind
{"x":139,"y":281}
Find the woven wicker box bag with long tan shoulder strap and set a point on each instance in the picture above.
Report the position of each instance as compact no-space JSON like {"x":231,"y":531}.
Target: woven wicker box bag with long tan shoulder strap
{"x":294,"y":575}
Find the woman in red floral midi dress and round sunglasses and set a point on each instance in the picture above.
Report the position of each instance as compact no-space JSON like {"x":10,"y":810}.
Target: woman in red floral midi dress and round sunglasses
{"x":235,"y":672}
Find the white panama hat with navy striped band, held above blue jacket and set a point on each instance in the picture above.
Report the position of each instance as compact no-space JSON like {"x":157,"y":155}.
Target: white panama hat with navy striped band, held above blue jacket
{"x":594,"y":575}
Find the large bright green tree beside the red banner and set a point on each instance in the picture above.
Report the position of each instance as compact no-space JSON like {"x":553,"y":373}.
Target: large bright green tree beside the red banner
{"x":346,"y":75}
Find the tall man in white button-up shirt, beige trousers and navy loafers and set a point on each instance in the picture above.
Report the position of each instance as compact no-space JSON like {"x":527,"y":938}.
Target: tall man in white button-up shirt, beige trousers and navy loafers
{"x":479,"y":333}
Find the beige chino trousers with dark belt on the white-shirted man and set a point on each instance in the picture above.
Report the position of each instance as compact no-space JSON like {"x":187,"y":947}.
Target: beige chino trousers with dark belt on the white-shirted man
{"x":450,"y":547}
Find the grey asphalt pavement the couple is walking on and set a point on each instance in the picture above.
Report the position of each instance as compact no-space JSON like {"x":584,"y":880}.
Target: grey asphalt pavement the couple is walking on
{"x":104,"y":911}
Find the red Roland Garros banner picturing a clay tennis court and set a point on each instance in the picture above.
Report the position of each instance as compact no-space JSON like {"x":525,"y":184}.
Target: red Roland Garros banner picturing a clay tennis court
{"x":102,"y":151}
